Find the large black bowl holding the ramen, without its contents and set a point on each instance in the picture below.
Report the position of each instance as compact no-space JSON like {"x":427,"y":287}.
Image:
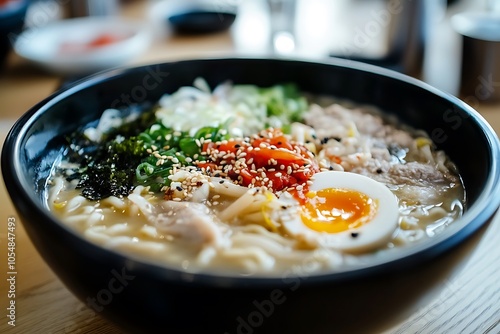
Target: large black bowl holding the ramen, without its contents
{"x":141,"y":296}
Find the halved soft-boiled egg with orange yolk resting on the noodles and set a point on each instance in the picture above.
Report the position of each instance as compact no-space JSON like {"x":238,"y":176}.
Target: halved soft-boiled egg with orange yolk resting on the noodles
{"x":345,"y":211}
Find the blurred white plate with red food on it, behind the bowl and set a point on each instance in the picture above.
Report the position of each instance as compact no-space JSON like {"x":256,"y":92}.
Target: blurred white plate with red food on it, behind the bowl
{"x":44,"y":45}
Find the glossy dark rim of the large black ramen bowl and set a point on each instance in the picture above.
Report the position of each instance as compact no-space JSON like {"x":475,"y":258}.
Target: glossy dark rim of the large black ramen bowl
{"x":477,"y":215}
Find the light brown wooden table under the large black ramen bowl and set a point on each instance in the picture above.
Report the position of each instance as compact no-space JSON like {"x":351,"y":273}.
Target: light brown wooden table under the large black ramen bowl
{"x":458,"y":292}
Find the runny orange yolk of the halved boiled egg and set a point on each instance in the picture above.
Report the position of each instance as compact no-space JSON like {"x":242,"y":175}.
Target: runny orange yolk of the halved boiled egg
{"x":334,"y":210}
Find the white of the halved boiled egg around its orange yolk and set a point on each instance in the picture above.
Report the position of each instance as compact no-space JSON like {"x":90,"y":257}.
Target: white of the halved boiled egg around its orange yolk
{"x":369,"y":236}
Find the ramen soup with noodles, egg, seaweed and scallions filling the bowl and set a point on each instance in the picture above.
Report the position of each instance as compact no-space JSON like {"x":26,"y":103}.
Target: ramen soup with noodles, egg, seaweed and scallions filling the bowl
{"x":249,"y":180}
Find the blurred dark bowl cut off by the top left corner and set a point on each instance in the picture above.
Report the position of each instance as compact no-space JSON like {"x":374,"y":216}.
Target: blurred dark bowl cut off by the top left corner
{"x":11,"y":23}
